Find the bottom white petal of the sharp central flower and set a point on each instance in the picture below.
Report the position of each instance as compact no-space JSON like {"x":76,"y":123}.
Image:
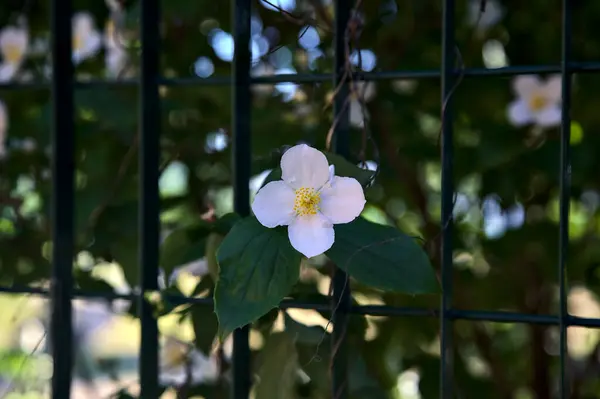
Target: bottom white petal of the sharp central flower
{"x":311,"y":235}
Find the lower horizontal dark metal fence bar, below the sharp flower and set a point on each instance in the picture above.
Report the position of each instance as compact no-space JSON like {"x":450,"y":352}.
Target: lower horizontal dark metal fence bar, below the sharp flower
{"x":371,"y":310}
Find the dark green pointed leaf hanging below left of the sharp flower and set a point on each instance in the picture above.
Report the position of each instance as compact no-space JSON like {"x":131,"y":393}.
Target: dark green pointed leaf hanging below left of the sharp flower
{"x":257,"y":269}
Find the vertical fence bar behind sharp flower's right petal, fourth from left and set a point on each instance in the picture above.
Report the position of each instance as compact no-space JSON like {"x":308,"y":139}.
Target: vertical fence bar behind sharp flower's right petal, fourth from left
{"x":341,"y":288}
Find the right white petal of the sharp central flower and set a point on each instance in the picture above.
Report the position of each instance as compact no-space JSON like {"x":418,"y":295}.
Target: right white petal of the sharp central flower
{"x":343,"y":201}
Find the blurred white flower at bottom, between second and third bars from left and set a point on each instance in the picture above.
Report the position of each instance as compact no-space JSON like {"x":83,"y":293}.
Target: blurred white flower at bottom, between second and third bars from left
{"x":181,"y":363}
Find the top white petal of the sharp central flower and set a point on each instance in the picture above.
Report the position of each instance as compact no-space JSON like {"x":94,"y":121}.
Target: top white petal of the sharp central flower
{"x":304,"y":166}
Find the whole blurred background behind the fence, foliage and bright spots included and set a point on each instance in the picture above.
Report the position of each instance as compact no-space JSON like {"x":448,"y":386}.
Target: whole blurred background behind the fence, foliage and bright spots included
{"x":506,"y":208}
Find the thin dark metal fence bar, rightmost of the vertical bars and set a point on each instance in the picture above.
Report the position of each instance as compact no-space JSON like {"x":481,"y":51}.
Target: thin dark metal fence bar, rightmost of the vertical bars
{"x":565,"y":191}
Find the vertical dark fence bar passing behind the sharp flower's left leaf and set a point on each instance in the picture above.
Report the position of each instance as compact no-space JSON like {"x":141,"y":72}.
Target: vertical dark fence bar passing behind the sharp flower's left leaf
{"x":241,"y":153}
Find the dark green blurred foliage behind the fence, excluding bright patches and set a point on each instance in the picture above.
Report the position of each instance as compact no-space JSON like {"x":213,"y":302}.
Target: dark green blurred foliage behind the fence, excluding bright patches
{"x":515,"y":271}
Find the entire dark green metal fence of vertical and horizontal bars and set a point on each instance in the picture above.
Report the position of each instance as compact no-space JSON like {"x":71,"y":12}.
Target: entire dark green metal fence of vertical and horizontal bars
{"x":62,"y":200}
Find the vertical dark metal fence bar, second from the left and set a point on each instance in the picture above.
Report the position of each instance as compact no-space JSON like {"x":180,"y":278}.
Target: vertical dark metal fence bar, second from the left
{"x":149,"y":223}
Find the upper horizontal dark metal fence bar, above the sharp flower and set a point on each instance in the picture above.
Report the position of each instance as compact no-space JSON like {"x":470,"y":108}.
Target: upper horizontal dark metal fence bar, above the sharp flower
{"x":575,"y":67}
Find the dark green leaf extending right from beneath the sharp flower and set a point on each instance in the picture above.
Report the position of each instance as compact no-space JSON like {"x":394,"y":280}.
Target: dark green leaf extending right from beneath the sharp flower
{"x":382,"y":257}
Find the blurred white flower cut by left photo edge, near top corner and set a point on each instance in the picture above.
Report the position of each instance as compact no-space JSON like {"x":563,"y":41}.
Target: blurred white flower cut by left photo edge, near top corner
{"x":13,"y":46}
